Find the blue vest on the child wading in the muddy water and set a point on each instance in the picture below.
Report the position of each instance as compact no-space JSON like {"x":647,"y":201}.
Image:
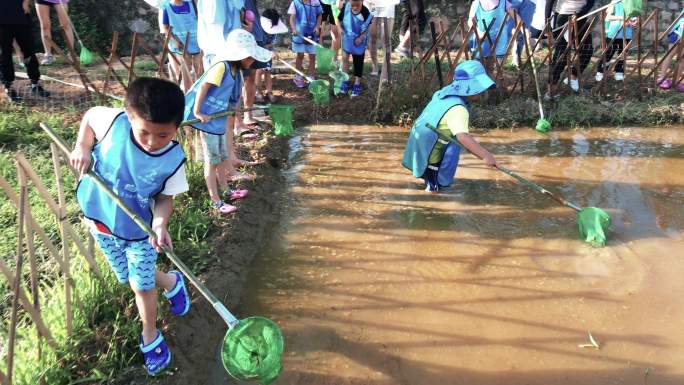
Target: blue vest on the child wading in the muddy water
{"x":422,"y":140}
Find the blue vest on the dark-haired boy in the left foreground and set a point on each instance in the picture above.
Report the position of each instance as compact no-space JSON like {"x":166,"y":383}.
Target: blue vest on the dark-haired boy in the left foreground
{"x":135,"y":175}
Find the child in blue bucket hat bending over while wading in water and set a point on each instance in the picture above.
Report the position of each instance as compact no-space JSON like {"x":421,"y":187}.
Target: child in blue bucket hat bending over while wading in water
{"x":426,"y":154}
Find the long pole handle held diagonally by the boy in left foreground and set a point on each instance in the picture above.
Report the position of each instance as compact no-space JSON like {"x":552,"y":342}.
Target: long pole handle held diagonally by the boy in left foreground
{"x":230,"y":320}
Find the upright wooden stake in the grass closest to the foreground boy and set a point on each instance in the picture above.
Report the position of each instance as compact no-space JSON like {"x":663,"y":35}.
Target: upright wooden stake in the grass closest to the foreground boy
{"x":62,"y":218}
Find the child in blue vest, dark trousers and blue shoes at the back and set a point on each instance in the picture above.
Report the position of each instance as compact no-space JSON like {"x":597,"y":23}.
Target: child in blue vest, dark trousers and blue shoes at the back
{"x":354,"y":25}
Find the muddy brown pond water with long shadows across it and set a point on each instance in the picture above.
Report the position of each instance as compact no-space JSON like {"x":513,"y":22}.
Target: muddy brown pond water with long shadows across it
{"x":375,"y":281}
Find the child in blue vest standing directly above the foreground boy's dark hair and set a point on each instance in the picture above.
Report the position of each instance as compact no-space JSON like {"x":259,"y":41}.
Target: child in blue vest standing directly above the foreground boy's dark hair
{"x":181,"y":17}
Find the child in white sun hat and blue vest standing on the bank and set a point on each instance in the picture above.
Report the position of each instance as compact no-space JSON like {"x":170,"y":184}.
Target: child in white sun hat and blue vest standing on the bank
{"x":218,"y":90}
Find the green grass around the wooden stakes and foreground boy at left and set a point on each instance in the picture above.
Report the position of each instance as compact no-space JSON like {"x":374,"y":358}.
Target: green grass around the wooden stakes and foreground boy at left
{"x":106,"y":325}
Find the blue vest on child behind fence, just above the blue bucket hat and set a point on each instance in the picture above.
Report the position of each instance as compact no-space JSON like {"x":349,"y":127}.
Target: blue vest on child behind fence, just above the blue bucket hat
{"x":495,"y":17}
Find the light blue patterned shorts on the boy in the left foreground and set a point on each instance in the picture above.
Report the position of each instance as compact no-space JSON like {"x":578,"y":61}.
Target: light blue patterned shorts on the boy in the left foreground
{"x":131,"y":261}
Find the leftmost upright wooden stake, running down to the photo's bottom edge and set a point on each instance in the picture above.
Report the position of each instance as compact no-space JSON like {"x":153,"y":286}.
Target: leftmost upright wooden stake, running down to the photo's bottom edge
{"x":23,"y":193}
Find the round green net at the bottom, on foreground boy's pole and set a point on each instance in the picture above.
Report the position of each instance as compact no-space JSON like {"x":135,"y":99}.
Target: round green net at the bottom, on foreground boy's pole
{"x":252,"y":350}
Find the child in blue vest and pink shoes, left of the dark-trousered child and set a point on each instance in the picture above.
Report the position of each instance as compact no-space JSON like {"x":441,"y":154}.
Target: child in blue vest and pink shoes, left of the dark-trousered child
{"x":305,"y":21}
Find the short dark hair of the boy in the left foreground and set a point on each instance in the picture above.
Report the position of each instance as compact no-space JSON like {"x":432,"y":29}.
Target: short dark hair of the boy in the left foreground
{"x":155,"y":100}
